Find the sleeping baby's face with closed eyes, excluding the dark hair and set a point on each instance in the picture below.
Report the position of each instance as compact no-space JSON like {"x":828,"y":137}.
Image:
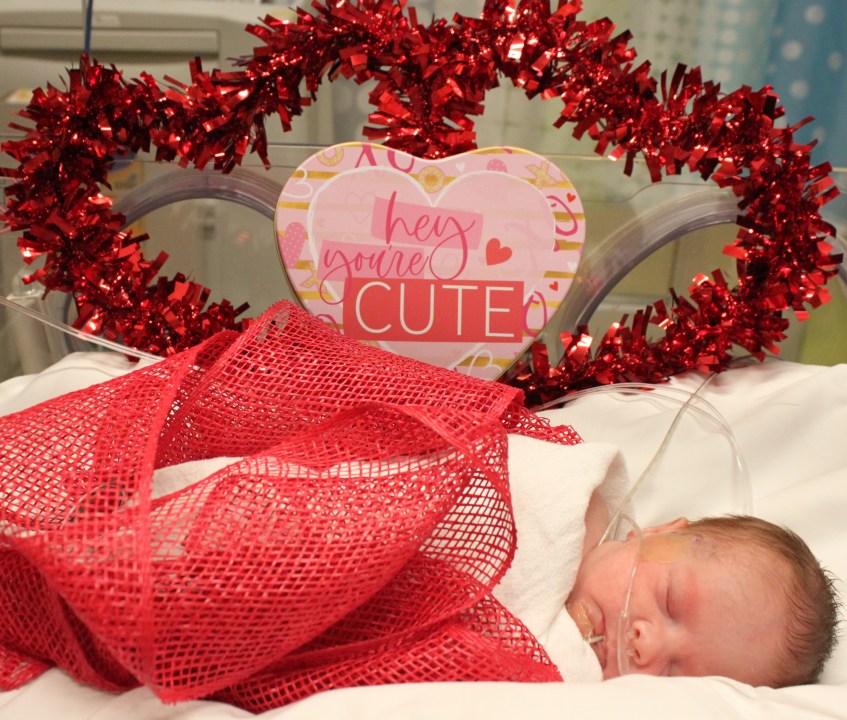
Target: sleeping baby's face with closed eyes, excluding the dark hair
{"x":692,"y":611}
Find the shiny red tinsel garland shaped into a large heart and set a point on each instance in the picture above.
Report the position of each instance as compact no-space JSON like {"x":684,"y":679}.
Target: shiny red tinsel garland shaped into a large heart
{"x":430,"y":81}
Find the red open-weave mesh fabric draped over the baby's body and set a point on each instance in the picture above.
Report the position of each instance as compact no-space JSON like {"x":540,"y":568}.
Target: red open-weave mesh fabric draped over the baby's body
{"x":355,"y":542}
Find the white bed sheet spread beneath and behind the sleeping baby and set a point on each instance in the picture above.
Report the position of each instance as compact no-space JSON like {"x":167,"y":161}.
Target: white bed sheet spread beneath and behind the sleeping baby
{"x":789,"y":423}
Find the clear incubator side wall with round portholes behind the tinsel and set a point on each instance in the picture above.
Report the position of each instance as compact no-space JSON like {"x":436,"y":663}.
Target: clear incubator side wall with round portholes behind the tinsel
{"x":641,"y":239}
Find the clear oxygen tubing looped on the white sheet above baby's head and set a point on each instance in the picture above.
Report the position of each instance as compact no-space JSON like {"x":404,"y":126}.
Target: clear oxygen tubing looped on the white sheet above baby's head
{"x":689,"y":402}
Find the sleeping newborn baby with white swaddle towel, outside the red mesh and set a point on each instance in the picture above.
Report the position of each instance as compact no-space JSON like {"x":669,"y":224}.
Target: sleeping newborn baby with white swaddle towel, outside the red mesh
{"x":732,"y":596}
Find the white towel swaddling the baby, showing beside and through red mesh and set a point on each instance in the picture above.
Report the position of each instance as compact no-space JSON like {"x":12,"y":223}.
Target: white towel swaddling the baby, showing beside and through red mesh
{"x":551,"y":485}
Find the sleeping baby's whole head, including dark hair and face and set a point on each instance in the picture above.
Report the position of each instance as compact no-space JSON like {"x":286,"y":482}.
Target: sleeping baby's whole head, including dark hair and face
{"x":731,"y":596}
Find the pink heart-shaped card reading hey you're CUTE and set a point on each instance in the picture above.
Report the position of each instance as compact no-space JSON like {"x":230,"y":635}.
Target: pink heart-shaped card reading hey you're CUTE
{"x":459,"y":262}
